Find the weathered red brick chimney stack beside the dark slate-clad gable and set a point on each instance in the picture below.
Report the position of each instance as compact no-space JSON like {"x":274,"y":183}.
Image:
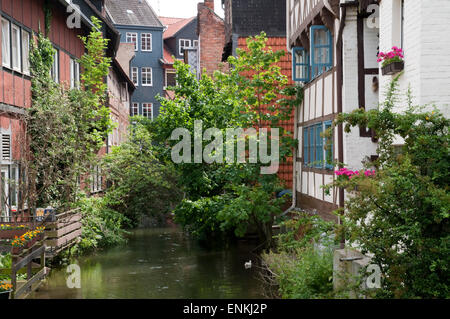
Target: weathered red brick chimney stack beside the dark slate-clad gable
{"x":211,"y":31}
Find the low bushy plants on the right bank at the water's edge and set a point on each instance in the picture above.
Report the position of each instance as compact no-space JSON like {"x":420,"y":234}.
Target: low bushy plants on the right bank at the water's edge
{"x":302,"y":266}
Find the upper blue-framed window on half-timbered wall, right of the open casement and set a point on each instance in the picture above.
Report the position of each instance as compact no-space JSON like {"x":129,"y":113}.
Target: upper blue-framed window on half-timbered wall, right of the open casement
{"x":321,"y":50}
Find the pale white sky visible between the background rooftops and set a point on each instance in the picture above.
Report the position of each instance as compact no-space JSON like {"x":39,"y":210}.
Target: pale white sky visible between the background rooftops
{"x":181,"y":8}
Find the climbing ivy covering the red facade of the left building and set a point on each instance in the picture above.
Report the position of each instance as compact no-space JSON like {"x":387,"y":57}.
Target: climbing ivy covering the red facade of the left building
{"x":65,"y":128}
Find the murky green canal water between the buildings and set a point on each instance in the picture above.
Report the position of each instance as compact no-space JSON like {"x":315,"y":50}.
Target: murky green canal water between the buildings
{"x":160,"y":263}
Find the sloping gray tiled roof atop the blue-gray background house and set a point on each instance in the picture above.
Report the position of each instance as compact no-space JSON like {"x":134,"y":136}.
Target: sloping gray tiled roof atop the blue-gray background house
{"x":132,"y":12}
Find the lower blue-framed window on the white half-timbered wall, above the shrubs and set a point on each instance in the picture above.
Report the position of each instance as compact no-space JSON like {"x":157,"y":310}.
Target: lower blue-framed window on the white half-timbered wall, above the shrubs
{"x":316,"y":152}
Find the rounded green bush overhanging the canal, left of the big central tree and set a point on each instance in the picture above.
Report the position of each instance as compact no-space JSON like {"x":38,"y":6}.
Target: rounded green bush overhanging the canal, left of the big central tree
{"x":140,"y":184}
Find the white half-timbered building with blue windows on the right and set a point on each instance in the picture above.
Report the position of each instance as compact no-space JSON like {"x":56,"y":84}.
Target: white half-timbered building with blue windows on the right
{"x":335,"y":44}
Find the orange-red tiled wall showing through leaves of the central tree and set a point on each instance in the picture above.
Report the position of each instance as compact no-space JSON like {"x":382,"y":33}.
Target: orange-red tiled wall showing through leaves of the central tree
{"x":286,"y":169}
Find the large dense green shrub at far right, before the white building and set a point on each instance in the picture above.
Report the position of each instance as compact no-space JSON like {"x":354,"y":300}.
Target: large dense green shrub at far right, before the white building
{"x":401,"y":215}
